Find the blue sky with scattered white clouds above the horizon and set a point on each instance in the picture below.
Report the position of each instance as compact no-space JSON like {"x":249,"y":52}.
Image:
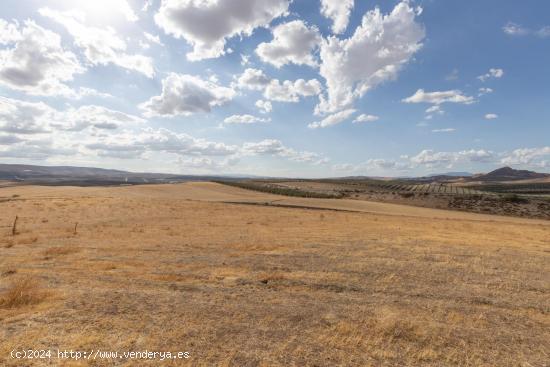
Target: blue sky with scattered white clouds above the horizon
{"x":303,"y":88}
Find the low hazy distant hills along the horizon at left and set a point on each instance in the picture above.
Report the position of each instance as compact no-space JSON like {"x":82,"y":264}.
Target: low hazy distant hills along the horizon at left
{"x":84,"y":176}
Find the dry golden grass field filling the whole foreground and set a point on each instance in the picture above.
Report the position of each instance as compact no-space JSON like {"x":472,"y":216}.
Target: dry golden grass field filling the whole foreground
{"x":192,"y":267}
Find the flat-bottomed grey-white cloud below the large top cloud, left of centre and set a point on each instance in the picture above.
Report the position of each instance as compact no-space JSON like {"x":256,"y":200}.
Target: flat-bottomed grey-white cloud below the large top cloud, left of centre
{"x":184,"y":94}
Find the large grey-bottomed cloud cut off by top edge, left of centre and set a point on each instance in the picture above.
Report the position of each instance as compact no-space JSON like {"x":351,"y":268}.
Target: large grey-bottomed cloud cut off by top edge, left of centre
{"x":207,"y":24}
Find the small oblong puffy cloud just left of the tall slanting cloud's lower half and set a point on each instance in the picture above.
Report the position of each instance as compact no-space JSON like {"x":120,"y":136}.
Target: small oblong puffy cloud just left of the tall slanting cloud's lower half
{"x":291,"y":91}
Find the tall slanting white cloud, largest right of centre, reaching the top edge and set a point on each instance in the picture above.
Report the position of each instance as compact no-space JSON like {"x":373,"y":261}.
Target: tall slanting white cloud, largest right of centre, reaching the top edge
{"x":376,"y":52}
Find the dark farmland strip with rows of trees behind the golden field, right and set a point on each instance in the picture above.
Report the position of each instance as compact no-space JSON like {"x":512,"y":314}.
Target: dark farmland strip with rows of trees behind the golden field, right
{"x":526,"y":200}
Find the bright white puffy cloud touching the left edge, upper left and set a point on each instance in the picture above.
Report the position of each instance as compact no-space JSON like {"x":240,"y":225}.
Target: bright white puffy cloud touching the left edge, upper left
{"x":36,"y":63}
